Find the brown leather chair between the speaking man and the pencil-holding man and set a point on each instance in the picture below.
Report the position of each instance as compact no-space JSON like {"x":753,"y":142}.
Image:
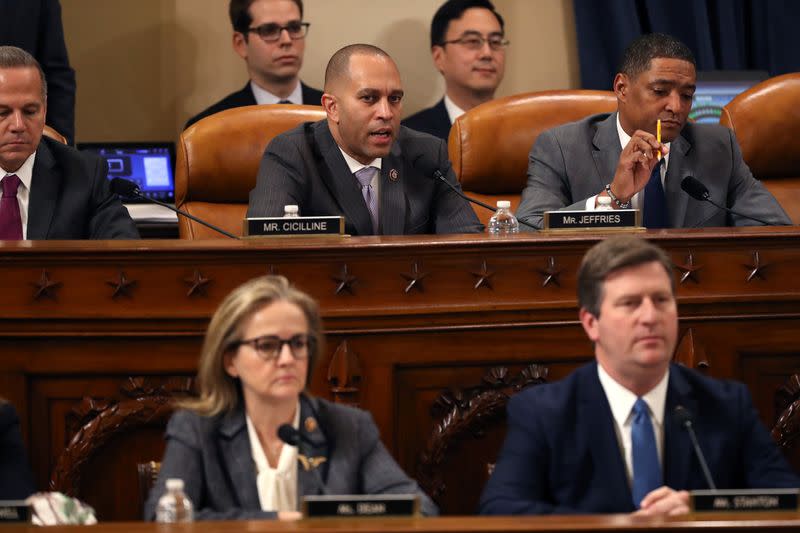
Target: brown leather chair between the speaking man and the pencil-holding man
{"x":489,"y":144}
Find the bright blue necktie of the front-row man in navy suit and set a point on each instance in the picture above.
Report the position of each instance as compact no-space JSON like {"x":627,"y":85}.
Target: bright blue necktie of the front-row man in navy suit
{"x":646,"y":468}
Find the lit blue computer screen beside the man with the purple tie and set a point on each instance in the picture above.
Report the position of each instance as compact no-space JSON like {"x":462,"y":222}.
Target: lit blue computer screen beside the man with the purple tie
{"x":150,"y":164}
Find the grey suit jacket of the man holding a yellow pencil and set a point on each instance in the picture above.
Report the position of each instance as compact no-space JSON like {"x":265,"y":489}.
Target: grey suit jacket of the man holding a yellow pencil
{"x":571,"y":163}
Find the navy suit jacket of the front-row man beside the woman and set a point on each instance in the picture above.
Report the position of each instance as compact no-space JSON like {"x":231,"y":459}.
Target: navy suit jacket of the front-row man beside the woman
{"x":561,"y":453}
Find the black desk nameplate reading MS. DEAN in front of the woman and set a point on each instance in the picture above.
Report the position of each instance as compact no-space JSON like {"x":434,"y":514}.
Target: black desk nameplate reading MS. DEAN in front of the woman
{"x":349,"y":505}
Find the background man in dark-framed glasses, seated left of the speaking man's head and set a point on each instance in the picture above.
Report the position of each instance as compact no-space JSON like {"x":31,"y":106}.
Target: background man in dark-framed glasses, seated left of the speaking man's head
{"x":270,"y":36}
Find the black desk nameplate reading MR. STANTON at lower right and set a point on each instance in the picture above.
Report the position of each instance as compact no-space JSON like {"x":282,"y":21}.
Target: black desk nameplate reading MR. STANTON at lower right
{"x":744,"y":500}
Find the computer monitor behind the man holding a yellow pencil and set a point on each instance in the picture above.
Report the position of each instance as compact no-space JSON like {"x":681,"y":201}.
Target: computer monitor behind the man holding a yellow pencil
{"x":718,"y":87}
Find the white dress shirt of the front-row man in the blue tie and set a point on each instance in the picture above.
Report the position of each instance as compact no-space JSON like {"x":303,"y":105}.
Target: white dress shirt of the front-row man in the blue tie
{"x":621,"y":401}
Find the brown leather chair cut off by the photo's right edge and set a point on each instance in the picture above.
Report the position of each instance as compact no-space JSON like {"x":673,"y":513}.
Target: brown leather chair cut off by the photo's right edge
{"x":765,"y":119}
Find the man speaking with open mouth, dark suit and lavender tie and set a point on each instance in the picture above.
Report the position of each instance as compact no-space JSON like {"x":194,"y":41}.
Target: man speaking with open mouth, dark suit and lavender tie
{"x":360,"y":163}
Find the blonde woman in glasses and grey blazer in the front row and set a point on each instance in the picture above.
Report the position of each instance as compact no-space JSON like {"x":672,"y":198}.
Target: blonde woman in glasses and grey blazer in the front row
{"x":259,"y":351}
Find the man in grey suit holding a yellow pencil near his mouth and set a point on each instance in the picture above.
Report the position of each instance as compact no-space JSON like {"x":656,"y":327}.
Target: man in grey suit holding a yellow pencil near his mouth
{"x":617,"y":154}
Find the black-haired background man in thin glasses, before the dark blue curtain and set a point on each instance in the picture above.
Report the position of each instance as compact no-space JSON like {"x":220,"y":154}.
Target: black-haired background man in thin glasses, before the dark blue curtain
{"x":468,"y":46}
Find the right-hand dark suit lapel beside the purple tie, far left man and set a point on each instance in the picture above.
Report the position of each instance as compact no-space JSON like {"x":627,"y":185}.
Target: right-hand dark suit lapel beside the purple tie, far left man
{"x":45,"y":188}
